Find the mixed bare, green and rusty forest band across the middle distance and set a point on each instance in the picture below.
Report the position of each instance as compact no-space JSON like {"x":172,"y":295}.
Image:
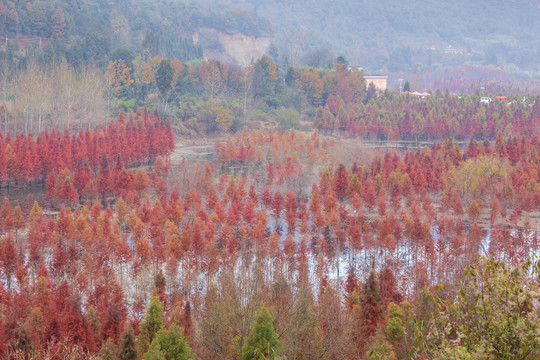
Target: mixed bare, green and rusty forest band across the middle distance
{"x":209,"y":97}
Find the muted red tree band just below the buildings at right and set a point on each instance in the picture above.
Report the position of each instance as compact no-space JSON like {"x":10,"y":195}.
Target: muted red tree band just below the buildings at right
{"x":404,"y":118}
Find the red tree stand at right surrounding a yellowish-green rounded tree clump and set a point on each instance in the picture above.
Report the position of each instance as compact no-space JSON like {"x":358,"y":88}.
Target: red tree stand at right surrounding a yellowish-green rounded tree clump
{"x":513,"y":167}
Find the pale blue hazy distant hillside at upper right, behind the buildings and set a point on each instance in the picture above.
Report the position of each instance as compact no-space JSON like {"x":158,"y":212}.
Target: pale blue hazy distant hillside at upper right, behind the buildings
{"x":410,"y":36}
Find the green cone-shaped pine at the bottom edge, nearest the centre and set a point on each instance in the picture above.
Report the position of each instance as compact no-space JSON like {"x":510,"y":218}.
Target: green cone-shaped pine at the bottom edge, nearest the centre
{"x":262,"y":342}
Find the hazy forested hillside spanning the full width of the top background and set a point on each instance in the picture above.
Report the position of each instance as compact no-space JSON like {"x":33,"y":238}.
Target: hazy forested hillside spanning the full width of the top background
{"x":386,"y":36}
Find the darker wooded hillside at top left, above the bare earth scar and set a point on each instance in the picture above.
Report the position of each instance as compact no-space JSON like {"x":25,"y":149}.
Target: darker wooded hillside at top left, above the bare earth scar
{"x":91,"y":30}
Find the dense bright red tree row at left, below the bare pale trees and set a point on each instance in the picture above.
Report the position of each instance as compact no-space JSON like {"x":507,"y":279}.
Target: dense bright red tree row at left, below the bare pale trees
{"x":27,"y":158}
